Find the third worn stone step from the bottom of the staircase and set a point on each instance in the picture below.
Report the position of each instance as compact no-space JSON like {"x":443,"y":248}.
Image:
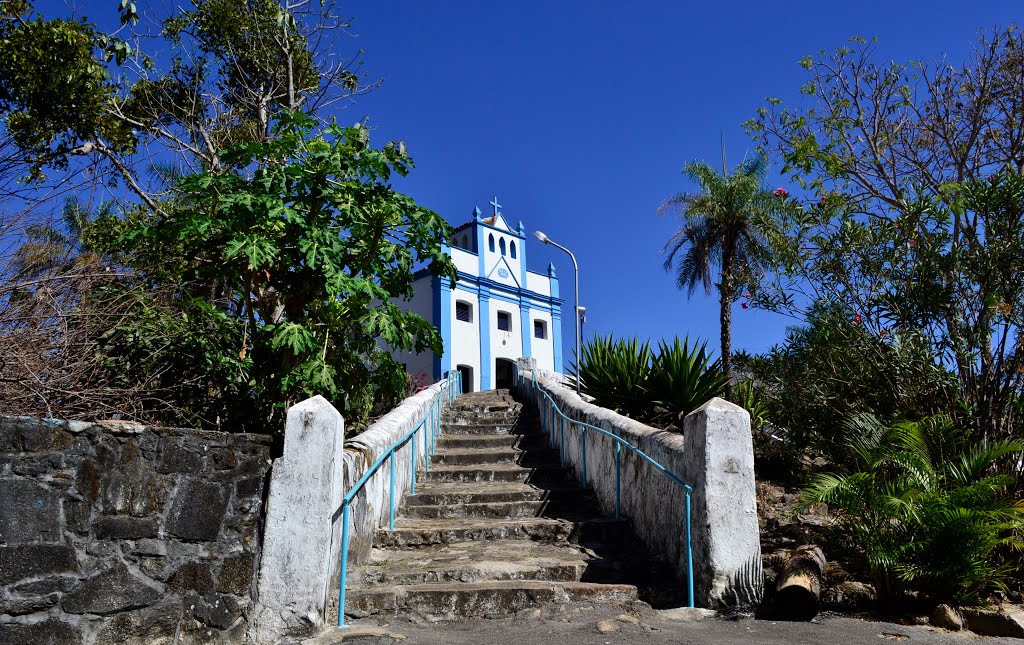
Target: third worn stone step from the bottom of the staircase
{"x":584,"y":530}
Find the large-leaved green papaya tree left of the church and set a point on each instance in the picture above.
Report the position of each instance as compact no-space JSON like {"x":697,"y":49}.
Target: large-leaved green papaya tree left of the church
{"x":314,"y":247}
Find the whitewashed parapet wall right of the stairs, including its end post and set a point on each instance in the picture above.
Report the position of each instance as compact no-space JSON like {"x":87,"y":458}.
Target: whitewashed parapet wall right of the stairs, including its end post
{"x":714,"y":455}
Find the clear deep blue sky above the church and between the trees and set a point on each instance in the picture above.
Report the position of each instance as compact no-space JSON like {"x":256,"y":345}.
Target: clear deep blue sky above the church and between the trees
{"x":579,"y":116}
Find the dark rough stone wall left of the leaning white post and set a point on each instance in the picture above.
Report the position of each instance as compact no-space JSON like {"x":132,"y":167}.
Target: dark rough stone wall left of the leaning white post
{"x":125,"y":534}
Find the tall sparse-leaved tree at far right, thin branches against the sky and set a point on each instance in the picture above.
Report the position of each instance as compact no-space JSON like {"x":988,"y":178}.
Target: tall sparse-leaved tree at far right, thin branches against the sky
{"x":917,"y":233}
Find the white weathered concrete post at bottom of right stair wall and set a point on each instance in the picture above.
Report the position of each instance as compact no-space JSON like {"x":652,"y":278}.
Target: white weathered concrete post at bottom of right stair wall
{"x":719,"y":456}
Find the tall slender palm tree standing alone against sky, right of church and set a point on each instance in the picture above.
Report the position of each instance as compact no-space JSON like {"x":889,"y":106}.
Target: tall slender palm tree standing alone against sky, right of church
{"x":720,"y":230}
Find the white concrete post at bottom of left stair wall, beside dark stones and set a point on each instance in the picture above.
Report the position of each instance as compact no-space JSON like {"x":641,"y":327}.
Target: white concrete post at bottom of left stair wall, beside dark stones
{"x":302,"y":538}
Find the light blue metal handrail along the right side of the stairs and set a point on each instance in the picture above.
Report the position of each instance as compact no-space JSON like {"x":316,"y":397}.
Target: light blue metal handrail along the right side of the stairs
{"x":620,"y":443}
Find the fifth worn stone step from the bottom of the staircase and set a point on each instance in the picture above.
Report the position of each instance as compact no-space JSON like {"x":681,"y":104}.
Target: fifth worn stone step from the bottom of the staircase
{"x":480,"y":493}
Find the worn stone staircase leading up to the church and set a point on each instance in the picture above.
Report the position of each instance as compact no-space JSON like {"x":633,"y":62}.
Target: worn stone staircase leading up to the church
{"x":498,"y":527}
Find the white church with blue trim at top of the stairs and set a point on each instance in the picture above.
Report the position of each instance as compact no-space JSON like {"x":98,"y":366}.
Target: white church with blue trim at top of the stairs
{"x":497,"y":313}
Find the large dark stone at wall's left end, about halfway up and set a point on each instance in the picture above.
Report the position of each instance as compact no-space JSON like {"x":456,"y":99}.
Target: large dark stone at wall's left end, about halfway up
{"x":28,"y":512}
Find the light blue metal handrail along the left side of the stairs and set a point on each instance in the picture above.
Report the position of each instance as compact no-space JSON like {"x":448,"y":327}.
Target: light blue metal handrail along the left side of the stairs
{"x":451,"y":390}
